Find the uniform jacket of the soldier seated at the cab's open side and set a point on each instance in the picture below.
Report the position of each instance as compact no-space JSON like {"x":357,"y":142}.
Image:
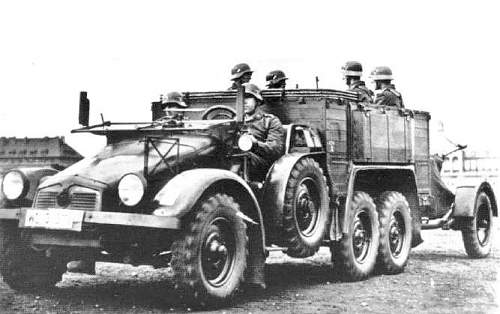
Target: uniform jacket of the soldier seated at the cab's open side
{"x":268,"y":131}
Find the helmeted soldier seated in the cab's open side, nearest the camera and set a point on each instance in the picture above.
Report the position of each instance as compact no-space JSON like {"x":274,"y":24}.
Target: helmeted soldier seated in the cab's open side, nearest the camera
{"x":266,"y":131}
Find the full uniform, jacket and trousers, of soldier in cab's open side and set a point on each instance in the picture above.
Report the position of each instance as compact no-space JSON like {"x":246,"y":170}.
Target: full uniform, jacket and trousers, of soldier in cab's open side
{"x":268,"y":131}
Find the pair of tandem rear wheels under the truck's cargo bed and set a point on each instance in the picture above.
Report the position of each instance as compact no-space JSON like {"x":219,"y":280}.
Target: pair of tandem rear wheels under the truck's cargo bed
{"x":378,"y":237}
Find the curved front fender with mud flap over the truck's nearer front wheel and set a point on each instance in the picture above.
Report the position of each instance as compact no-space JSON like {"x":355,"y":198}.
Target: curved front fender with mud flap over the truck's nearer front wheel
{"x":178,"y":197}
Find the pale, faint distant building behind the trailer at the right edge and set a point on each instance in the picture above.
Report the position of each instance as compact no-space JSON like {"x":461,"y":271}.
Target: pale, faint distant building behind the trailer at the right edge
{"x":463,"y":168}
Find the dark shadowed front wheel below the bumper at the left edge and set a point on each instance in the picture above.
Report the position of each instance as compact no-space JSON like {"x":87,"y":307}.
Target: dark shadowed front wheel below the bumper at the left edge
{"x":22,"y":267}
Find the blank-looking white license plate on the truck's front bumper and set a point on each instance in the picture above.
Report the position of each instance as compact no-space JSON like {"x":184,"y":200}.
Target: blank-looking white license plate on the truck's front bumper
{"x":55,"y":219}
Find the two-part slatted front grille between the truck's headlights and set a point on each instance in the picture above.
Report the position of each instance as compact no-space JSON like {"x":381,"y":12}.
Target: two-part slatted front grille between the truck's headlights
{"x":78,"y":200}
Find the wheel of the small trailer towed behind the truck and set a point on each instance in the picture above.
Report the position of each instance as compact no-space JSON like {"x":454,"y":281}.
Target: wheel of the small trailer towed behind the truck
{"x":476,"y":233}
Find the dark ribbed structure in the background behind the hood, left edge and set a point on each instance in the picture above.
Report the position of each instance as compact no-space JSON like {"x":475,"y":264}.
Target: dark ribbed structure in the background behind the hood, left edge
{"x":46,"y":151}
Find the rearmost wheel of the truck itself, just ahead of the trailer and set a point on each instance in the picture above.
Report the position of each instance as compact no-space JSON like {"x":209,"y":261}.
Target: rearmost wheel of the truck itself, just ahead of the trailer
{"x":395,"y":232}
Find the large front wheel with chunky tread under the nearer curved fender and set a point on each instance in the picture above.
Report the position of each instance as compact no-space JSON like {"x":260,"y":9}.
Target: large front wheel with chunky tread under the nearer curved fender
{"x":210,"y":258}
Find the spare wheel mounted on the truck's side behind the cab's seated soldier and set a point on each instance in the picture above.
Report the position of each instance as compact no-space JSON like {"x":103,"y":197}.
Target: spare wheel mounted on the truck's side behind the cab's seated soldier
{"x":306,"y":212}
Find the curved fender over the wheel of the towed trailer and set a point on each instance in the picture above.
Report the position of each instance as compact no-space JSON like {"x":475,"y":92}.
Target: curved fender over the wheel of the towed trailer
{"x":465,"y":199}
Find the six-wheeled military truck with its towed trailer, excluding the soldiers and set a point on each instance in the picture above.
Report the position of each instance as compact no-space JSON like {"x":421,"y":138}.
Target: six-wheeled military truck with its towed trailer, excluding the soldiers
{"x":176,"y":192}
